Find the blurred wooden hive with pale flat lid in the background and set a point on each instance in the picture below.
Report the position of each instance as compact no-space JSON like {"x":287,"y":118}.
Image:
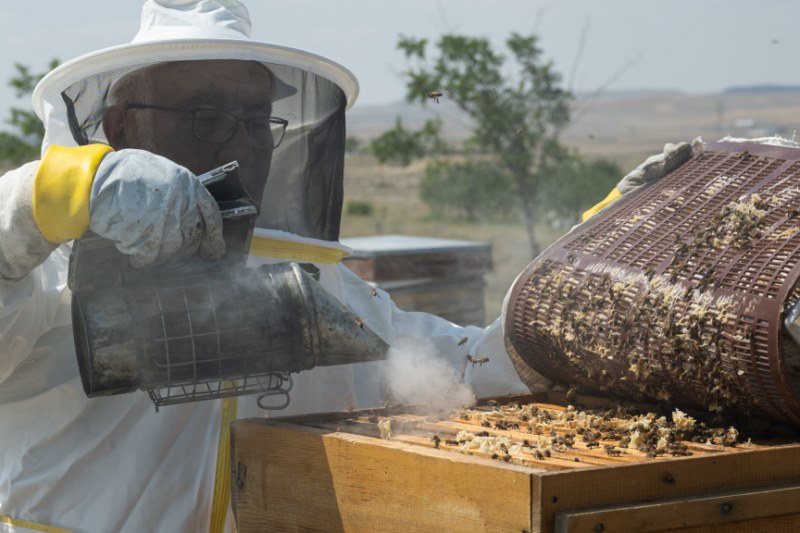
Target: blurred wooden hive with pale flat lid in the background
{"x":439,"y":276}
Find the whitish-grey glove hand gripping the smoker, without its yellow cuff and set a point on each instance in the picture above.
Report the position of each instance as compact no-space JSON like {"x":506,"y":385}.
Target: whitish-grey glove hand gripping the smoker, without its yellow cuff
{"x":155,"y":211}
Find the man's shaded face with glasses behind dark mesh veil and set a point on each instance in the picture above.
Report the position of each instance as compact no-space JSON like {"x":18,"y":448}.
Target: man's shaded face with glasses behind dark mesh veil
{"x":199,"y":114}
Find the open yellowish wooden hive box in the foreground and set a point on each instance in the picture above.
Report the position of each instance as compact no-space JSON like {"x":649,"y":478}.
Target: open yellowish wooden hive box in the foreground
{"x":334,"y":472}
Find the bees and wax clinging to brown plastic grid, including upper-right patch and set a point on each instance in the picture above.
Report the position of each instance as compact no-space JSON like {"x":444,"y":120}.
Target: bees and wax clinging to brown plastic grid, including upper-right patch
{"x":653,"y":335}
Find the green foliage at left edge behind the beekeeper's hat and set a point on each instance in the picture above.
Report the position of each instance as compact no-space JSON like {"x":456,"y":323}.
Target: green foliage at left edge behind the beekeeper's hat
{"x":24,"y":143}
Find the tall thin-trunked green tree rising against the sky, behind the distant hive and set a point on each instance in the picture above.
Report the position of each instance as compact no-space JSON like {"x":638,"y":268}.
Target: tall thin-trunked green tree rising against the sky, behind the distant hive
{"x":518,"y":118}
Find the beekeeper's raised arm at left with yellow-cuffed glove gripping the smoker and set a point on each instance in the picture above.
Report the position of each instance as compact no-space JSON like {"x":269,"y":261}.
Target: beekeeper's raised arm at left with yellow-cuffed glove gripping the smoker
{"x":154,"y":210}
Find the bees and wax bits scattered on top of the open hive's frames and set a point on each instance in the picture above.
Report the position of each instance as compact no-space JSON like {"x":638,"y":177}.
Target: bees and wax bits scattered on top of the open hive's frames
{"x":521,"y":433}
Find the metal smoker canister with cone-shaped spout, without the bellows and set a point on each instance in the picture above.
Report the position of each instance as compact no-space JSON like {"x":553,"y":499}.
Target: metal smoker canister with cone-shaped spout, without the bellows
{"x":212,"y":327}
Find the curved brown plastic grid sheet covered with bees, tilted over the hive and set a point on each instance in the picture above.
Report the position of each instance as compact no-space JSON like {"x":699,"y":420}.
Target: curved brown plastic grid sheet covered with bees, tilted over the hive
{"x":676,"y":292}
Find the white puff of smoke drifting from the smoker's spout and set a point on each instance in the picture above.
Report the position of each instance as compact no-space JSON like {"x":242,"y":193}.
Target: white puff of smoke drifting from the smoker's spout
{"x":416,"y":373}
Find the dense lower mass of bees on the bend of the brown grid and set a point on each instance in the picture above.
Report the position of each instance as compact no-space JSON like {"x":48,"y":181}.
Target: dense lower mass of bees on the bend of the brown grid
{"x":674,"y":336}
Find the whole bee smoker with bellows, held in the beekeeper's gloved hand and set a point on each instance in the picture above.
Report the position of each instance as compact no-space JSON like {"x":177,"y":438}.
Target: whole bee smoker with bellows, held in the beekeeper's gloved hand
{"x":207,"y":329}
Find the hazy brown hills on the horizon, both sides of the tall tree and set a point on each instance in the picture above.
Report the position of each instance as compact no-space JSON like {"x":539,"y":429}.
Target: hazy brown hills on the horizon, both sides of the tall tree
{"x":623,"y":126}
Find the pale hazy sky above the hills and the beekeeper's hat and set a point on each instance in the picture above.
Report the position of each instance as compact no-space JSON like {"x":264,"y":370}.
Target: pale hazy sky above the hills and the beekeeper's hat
{"x":696,"y":46}
